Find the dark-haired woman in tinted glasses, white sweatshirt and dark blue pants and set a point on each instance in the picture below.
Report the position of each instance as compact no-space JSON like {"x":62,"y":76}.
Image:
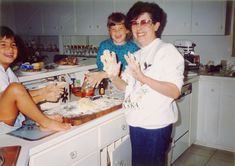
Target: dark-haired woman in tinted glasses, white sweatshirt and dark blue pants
{"x":152,"y":82}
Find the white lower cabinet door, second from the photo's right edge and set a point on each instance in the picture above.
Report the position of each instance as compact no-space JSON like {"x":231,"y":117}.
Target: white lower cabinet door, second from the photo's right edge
{"x":208,"y":114}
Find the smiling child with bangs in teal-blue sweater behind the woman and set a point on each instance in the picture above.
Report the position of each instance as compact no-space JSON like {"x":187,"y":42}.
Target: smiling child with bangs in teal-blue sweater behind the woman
{"x":119,"y":43}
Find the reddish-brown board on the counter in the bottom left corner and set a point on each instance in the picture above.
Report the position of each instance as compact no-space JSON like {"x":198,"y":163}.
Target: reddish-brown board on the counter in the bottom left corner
{"x":9,"y":155}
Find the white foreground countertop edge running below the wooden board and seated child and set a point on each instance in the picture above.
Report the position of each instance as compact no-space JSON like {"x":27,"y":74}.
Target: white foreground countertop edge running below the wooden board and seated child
{"x":30,"y":148}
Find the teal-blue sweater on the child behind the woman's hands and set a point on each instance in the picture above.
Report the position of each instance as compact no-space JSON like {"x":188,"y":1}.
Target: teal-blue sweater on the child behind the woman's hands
{"x":120,"y":51}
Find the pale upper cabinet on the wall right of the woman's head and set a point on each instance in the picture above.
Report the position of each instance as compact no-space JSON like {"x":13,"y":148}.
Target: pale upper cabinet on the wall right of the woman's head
{"x":194,"y":17}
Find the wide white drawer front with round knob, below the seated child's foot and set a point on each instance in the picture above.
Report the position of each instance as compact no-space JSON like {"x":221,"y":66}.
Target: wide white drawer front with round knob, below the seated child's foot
{"x":68,"y":151}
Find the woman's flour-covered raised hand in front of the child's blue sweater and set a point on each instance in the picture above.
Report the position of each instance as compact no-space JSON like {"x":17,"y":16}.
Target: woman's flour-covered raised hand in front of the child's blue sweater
{"x":111,"y":67}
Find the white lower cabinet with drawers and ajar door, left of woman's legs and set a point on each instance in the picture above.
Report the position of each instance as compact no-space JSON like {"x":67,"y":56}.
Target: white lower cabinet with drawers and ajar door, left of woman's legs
{"x":105,"y":144}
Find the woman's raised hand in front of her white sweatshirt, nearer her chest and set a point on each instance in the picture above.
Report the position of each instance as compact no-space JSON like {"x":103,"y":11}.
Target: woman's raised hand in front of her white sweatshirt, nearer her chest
{"x":133,"y":68}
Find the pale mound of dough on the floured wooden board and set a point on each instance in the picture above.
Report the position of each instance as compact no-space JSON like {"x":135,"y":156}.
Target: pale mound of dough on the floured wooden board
{"x":86,"y":104}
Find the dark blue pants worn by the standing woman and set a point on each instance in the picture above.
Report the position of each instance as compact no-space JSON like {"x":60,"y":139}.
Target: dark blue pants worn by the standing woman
{"x":150,"y":146}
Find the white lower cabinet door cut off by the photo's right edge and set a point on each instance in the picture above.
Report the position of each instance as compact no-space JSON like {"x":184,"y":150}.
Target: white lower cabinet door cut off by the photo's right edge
{"x":226,"y":135}
